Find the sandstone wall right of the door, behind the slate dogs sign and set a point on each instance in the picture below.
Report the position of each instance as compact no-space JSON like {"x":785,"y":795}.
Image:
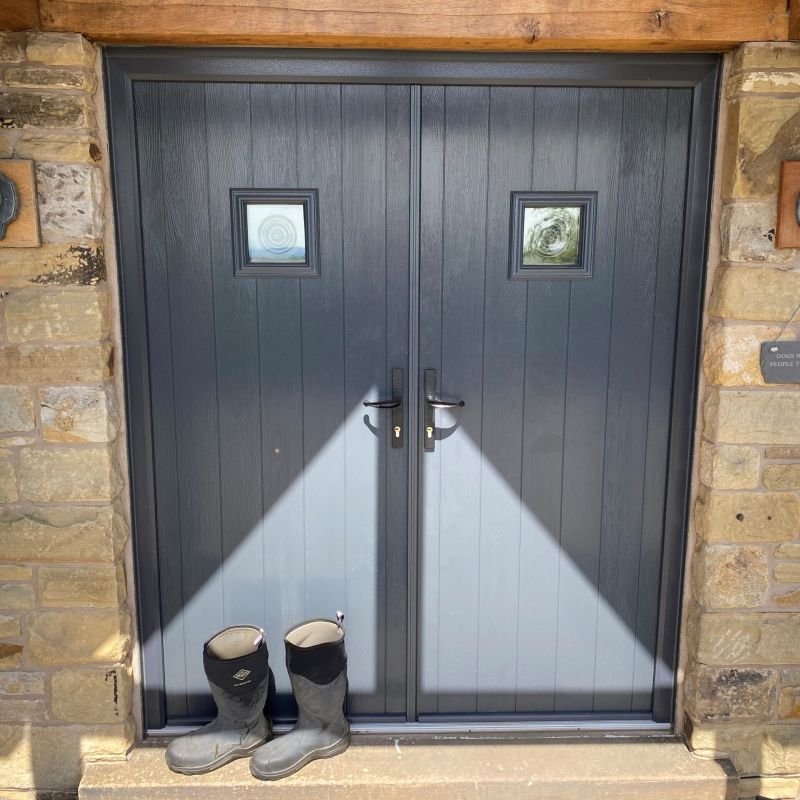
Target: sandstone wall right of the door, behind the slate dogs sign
{"x":742,"y":685}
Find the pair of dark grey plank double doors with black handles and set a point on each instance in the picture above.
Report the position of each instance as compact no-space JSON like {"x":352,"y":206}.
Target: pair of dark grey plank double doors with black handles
{"x":500,"y":559}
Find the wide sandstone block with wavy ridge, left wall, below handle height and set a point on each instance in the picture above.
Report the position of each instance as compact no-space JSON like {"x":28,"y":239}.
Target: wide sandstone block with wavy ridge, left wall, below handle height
{"x":91,"y":534}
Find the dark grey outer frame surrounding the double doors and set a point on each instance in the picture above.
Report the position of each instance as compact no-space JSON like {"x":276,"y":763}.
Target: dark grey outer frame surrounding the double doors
{"x":125,"y":65}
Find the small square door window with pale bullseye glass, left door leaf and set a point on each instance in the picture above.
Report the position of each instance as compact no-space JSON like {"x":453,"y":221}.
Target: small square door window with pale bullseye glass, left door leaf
{"x":275,"y":233}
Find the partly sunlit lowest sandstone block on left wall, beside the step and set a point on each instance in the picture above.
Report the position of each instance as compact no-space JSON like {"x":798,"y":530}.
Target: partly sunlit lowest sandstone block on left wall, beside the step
{"x":50,"y":756}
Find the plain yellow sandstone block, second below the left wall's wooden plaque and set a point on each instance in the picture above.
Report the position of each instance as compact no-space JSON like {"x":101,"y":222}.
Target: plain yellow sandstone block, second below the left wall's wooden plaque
{"x":71,"y":313}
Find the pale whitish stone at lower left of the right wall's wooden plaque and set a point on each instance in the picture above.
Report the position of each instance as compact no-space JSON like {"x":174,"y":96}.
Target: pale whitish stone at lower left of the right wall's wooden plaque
{"x":748,"y":233}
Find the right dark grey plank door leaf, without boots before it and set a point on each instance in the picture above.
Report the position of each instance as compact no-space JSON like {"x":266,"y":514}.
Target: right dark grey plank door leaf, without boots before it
{"x":542,"y":507}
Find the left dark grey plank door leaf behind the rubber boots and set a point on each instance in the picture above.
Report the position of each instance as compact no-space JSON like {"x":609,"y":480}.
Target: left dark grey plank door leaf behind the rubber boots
{"x":278,"y":497}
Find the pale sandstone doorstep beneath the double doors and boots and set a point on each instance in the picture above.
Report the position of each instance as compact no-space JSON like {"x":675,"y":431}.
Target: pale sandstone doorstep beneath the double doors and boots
{"x":440,"y":769}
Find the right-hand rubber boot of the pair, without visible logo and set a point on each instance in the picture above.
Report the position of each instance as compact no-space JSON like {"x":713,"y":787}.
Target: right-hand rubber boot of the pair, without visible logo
{"x":317,"y":664}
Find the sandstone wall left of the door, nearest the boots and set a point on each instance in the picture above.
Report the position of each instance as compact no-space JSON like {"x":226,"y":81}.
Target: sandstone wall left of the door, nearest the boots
{"x":65,"y":685}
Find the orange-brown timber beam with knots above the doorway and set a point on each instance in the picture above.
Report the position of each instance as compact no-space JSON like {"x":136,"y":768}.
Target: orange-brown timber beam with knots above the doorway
{"x":502,"y":25}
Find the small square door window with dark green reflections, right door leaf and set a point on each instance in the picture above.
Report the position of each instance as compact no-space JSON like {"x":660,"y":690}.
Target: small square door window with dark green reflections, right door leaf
{"x":552,"y":235}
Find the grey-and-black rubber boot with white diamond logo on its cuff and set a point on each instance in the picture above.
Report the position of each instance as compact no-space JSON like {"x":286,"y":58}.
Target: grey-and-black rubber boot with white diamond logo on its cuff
{"x":236,"y":663}
